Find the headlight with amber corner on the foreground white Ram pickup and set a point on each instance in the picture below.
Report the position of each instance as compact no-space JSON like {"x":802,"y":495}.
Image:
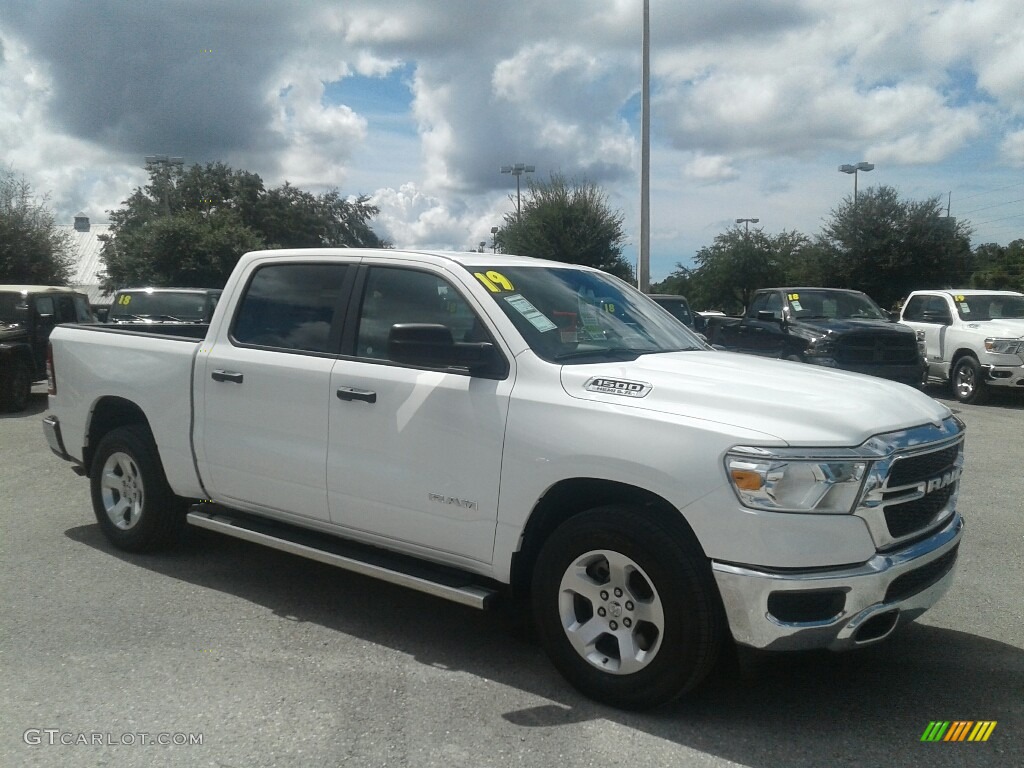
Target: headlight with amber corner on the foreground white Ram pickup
{"x":781,"y":484}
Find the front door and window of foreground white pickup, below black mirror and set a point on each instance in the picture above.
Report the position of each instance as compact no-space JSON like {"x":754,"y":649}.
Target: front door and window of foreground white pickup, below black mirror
{"x":415,"y":453}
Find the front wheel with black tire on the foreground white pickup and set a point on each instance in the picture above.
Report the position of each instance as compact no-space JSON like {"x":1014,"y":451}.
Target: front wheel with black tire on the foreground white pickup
{"x":666,"y":613}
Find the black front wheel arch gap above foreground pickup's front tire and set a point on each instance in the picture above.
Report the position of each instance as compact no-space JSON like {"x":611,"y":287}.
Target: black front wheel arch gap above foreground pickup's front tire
{"x":573,"y":496}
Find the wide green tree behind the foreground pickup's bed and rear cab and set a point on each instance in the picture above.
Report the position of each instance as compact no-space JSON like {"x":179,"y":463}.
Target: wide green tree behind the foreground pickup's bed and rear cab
{"x":190,"y":226}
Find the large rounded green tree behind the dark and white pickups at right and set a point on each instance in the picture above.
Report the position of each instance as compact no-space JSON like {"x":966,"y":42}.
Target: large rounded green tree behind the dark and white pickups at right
{"x":887,"y":247}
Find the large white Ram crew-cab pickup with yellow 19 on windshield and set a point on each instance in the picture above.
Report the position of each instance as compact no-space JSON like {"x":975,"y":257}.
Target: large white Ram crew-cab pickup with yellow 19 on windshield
{"x":480,"y":426}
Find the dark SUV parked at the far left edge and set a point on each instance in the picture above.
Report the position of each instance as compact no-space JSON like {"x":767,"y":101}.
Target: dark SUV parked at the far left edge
{"x":28,"y":315}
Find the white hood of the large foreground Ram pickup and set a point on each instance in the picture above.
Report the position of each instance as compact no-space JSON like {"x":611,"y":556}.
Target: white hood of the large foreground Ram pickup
{"x":810,"y":407}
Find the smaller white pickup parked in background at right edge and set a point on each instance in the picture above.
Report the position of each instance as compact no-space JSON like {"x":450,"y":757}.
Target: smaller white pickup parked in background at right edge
{"x":974,"y":339}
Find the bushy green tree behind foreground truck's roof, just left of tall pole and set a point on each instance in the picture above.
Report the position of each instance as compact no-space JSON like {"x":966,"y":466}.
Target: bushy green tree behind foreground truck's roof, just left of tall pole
{"x":567,"y":221}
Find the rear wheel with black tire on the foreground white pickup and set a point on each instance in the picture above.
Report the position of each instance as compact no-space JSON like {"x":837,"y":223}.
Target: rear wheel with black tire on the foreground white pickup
{"x":135,"y":506}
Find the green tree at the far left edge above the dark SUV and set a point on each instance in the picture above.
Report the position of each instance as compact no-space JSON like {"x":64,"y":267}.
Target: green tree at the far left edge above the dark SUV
{"x":33,"y":247}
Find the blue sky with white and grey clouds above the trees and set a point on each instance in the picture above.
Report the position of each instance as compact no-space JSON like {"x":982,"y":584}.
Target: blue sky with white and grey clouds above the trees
{"x":418,"y":103}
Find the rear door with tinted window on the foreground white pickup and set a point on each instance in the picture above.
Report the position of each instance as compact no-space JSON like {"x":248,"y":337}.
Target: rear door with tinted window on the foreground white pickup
{"x":266,"y":390}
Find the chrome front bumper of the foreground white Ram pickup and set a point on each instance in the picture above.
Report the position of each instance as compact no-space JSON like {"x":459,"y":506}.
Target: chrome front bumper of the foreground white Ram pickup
{"x":838,"y":609}
